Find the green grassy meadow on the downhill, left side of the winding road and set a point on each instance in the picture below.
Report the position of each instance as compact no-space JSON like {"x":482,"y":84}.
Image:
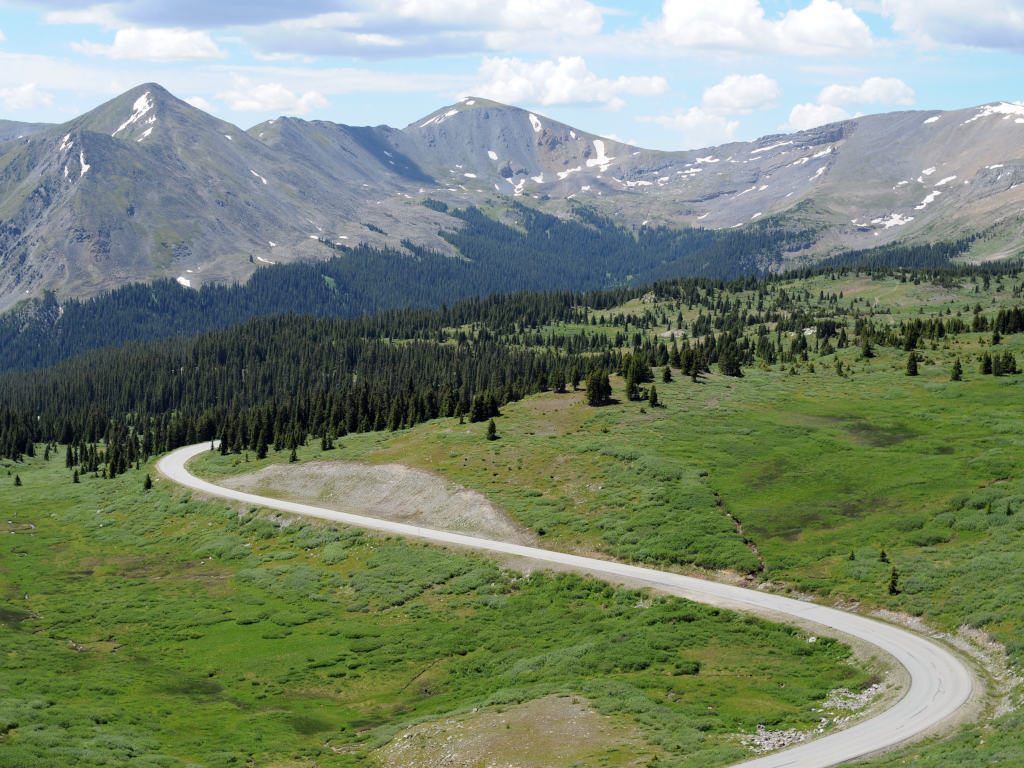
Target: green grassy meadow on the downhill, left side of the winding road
{"x":150,"y":628}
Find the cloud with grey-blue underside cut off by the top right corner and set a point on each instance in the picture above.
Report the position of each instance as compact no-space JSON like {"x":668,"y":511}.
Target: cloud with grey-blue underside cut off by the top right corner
{"x":982,"y":24}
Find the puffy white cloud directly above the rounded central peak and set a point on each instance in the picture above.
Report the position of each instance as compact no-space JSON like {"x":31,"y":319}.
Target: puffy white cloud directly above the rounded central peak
{"x":565,"y":81}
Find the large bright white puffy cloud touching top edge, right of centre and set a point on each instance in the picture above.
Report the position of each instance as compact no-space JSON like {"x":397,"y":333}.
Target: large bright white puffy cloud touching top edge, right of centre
{"x":823,"y":28}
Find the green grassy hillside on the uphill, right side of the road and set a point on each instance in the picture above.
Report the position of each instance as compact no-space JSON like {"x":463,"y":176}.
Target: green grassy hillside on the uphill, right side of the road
{"x":800,"y":474}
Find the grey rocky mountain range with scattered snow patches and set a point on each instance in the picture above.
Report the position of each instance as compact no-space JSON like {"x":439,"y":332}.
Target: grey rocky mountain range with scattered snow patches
{"x":147,"y":186}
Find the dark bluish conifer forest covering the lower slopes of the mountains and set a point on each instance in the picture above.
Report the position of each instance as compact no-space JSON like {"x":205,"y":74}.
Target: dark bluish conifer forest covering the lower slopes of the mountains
{"x":543,"y":253}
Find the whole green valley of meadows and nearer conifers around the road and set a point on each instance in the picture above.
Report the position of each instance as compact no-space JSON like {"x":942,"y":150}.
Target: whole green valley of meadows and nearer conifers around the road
{"x":782,"y":479}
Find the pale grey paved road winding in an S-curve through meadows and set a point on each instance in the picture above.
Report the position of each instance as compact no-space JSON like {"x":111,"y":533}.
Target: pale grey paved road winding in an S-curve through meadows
{"x":941,"y":684}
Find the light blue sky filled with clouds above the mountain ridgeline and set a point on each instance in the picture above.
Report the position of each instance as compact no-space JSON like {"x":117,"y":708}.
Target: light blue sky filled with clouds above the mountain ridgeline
{"x":665,"y":74}
